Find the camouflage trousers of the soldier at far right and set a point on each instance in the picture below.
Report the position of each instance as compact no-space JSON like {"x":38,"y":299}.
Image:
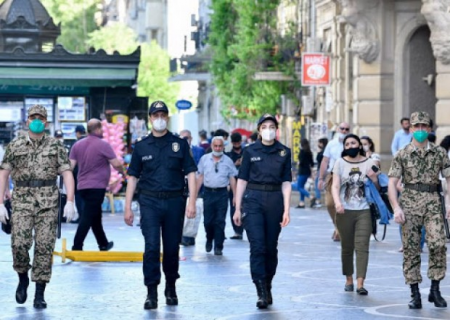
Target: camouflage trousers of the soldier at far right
{"x":421,"y":211}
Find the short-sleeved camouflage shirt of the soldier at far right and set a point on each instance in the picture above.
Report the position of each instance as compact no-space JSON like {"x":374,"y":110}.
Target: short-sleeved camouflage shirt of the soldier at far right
{"x":416,"y":165}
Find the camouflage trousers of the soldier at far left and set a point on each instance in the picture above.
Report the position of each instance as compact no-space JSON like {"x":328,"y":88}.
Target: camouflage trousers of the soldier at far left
{"x":44,"y":224}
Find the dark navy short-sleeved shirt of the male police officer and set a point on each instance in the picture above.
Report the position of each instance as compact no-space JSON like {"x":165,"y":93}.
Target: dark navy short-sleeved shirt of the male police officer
{"x":160,"y":163}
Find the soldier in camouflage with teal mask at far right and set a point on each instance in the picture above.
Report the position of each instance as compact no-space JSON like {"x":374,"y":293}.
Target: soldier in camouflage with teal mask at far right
{"x":418,"y":165}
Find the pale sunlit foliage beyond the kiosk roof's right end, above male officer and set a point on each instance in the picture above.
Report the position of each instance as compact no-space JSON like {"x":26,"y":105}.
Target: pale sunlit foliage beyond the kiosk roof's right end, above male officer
{"x":154,"y":70}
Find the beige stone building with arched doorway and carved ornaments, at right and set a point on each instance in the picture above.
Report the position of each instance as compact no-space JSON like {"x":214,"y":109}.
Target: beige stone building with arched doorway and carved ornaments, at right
{"x":389,"y":59}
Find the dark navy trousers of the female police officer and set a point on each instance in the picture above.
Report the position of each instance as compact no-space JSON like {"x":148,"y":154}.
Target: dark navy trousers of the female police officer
{"x":262,"y":214}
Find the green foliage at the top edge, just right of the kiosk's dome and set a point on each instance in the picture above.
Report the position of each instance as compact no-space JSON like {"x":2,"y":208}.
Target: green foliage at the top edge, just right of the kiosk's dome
{"x":77,"y":21}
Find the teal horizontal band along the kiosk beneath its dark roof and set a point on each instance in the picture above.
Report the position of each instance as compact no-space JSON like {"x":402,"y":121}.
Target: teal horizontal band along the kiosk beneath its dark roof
{"x":98,"y":77}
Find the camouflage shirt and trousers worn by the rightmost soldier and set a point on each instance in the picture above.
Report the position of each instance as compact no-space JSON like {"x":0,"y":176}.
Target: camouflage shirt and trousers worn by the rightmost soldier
{"x":423,"y":166}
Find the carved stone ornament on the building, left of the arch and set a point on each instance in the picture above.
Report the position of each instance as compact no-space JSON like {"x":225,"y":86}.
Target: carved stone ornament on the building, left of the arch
{"x":364,"y":42}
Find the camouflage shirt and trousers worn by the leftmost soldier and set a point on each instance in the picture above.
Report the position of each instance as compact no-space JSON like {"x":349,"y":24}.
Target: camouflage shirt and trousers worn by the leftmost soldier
{"x":34,"y":208}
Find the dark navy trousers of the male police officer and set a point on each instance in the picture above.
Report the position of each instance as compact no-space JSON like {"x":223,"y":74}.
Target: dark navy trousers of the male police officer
{"x":166,"y":216}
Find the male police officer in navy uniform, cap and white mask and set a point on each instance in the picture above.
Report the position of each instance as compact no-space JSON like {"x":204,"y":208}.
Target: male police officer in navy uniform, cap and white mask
{"x":158,"y":166}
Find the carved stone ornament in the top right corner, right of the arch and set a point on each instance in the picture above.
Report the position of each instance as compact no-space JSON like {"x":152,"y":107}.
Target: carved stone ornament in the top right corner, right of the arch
{"x":437,"y":14}
